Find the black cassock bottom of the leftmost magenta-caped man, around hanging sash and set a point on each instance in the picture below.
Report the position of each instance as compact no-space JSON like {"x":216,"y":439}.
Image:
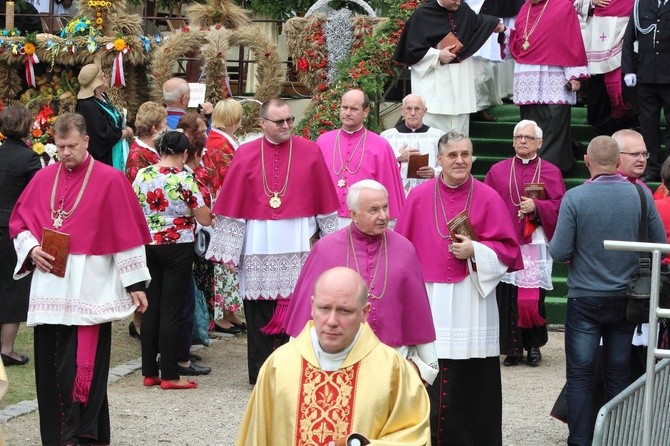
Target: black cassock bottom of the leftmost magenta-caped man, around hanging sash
{"x":61,"y":420}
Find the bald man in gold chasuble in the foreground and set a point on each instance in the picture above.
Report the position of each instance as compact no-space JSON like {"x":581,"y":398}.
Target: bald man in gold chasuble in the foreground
{"x":337,"y":355}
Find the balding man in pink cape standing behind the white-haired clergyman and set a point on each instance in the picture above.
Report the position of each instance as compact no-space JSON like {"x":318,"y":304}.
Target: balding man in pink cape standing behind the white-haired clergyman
{"x":354,"y":153}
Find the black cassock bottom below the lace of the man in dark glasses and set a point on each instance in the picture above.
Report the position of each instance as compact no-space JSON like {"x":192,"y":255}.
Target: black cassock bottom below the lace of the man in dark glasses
{"x":259,"y":345}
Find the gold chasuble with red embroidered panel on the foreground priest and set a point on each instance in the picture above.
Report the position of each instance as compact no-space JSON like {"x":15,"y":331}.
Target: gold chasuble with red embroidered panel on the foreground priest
{"x":375,"y":393}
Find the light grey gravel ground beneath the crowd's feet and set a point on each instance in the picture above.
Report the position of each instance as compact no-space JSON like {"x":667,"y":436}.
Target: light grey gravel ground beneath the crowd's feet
{"x":210,"y":414}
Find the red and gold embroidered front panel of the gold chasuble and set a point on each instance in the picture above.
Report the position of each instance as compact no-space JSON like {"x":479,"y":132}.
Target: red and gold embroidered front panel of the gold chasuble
{"x":325,"y":405}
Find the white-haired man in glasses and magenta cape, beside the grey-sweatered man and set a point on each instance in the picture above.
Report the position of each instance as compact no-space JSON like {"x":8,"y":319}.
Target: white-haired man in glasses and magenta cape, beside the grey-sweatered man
{"x":532,"y":189}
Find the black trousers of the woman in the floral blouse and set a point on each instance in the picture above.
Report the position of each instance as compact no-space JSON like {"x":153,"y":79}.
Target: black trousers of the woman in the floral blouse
{"x":171,"y":267}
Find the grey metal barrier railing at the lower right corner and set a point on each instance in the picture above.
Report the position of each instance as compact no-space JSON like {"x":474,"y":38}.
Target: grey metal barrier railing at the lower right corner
{"x":619,"y":420}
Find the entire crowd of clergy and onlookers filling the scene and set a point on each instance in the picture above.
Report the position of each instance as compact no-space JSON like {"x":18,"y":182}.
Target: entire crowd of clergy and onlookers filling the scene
{"x":351,"y":260}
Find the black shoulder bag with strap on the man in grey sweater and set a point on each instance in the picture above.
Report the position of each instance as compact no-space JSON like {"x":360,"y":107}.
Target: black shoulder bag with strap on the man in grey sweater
{"x":638,"y":290}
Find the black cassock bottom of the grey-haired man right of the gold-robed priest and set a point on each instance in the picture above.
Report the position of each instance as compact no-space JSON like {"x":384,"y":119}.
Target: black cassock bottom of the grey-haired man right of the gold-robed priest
{"x":466,"y":403}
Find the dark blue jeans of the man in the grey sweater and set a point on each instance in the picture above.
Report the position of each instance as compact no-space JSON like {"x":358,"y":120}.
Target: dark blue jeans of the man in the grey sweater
{"x":587,"y":320}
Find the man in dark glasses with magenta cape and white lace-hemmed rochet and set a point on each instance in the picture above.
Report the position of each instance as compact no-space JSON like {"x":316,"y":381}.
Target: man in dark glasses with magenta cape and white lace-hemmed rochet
{"x":266,"y":217}
